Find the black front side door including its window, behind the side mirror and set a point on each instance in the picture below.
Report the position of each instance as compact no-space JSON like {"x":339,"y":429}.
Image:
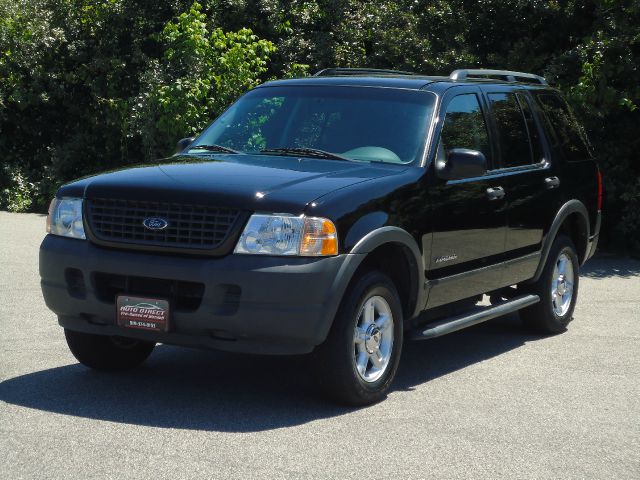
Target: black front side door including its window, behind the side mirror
{"x":469,"y":222}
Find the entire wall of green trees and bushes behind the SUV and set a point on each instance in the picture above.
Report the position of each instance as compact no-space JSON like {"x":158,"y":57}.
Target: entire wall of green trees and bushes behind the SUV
{"x":87,"y":85}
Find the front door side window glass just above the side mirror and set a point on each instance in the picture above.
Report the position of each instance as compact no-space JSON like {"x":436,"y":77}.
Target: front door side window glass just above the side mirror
{"x":464,"y":126}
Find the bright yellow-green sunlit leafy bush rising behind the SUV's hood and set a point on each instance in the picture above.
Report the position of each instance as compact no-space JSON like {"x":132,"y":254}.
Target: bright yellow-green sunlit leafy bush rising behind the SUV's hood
{"x":200,"y":74}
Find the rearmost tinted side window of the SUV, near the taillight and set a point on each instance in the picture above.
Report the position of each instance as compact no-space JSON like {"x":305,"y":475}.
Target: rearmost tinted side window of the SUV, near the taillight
{"x":568,"y":133}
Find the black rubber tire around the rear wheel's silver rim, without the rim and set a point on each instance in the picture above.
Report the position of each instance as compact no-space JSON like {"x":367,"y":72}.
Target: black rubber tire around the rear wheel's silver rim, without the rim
{"x":542,"y":317}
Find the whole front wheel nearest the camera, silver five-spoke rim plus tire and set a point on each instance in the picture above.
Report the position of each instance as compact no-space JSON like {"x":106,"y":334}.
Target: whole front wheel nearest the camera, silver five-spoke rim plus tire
{"x":358,"y":361}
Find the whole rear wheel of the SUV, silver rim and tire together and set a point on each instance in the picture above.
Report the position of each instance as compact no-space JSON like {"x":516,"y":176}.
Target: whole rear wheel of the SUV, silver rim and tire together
{"x":557,"y":288}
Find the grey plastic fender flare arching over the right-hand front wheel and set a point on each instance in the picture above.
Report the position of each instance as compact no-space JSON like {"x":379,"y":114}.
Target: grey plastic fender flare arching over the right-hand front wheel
{"x":365,"y":245}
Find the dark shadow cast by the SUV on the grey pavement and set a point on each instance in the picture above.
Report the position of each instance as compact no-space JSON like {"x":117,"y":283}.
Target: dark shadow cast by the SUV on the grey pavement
{"x":203,"y":390}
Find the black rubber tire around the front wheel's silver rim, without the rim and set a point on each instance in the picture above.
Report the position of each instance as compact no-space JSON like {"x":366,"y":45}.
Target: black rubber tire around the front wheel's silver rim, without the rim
{"x":334,"y":359}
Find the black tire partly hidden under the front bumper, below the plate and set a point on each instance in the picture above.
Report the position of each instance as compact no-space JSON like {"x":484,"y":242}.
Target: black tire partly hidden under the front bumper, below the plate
{"x":102,"y":352}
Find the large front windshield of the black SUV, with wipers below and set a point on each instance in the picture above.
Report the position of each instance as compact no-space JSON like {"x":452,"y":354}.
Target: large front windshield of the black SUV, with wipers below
{"x":352,"y":123}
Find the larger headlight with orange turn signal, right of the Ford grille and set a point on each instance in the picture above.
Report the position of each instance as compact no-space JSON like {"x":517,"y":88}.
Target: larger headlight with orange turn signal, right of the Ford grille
{"x":288,"y":235}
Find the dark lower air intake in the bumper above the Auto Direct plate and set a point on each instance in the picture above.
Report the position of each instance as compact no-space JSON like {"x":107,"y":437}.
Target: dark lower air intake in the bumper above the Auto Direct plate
{"x":182,"y":296}
